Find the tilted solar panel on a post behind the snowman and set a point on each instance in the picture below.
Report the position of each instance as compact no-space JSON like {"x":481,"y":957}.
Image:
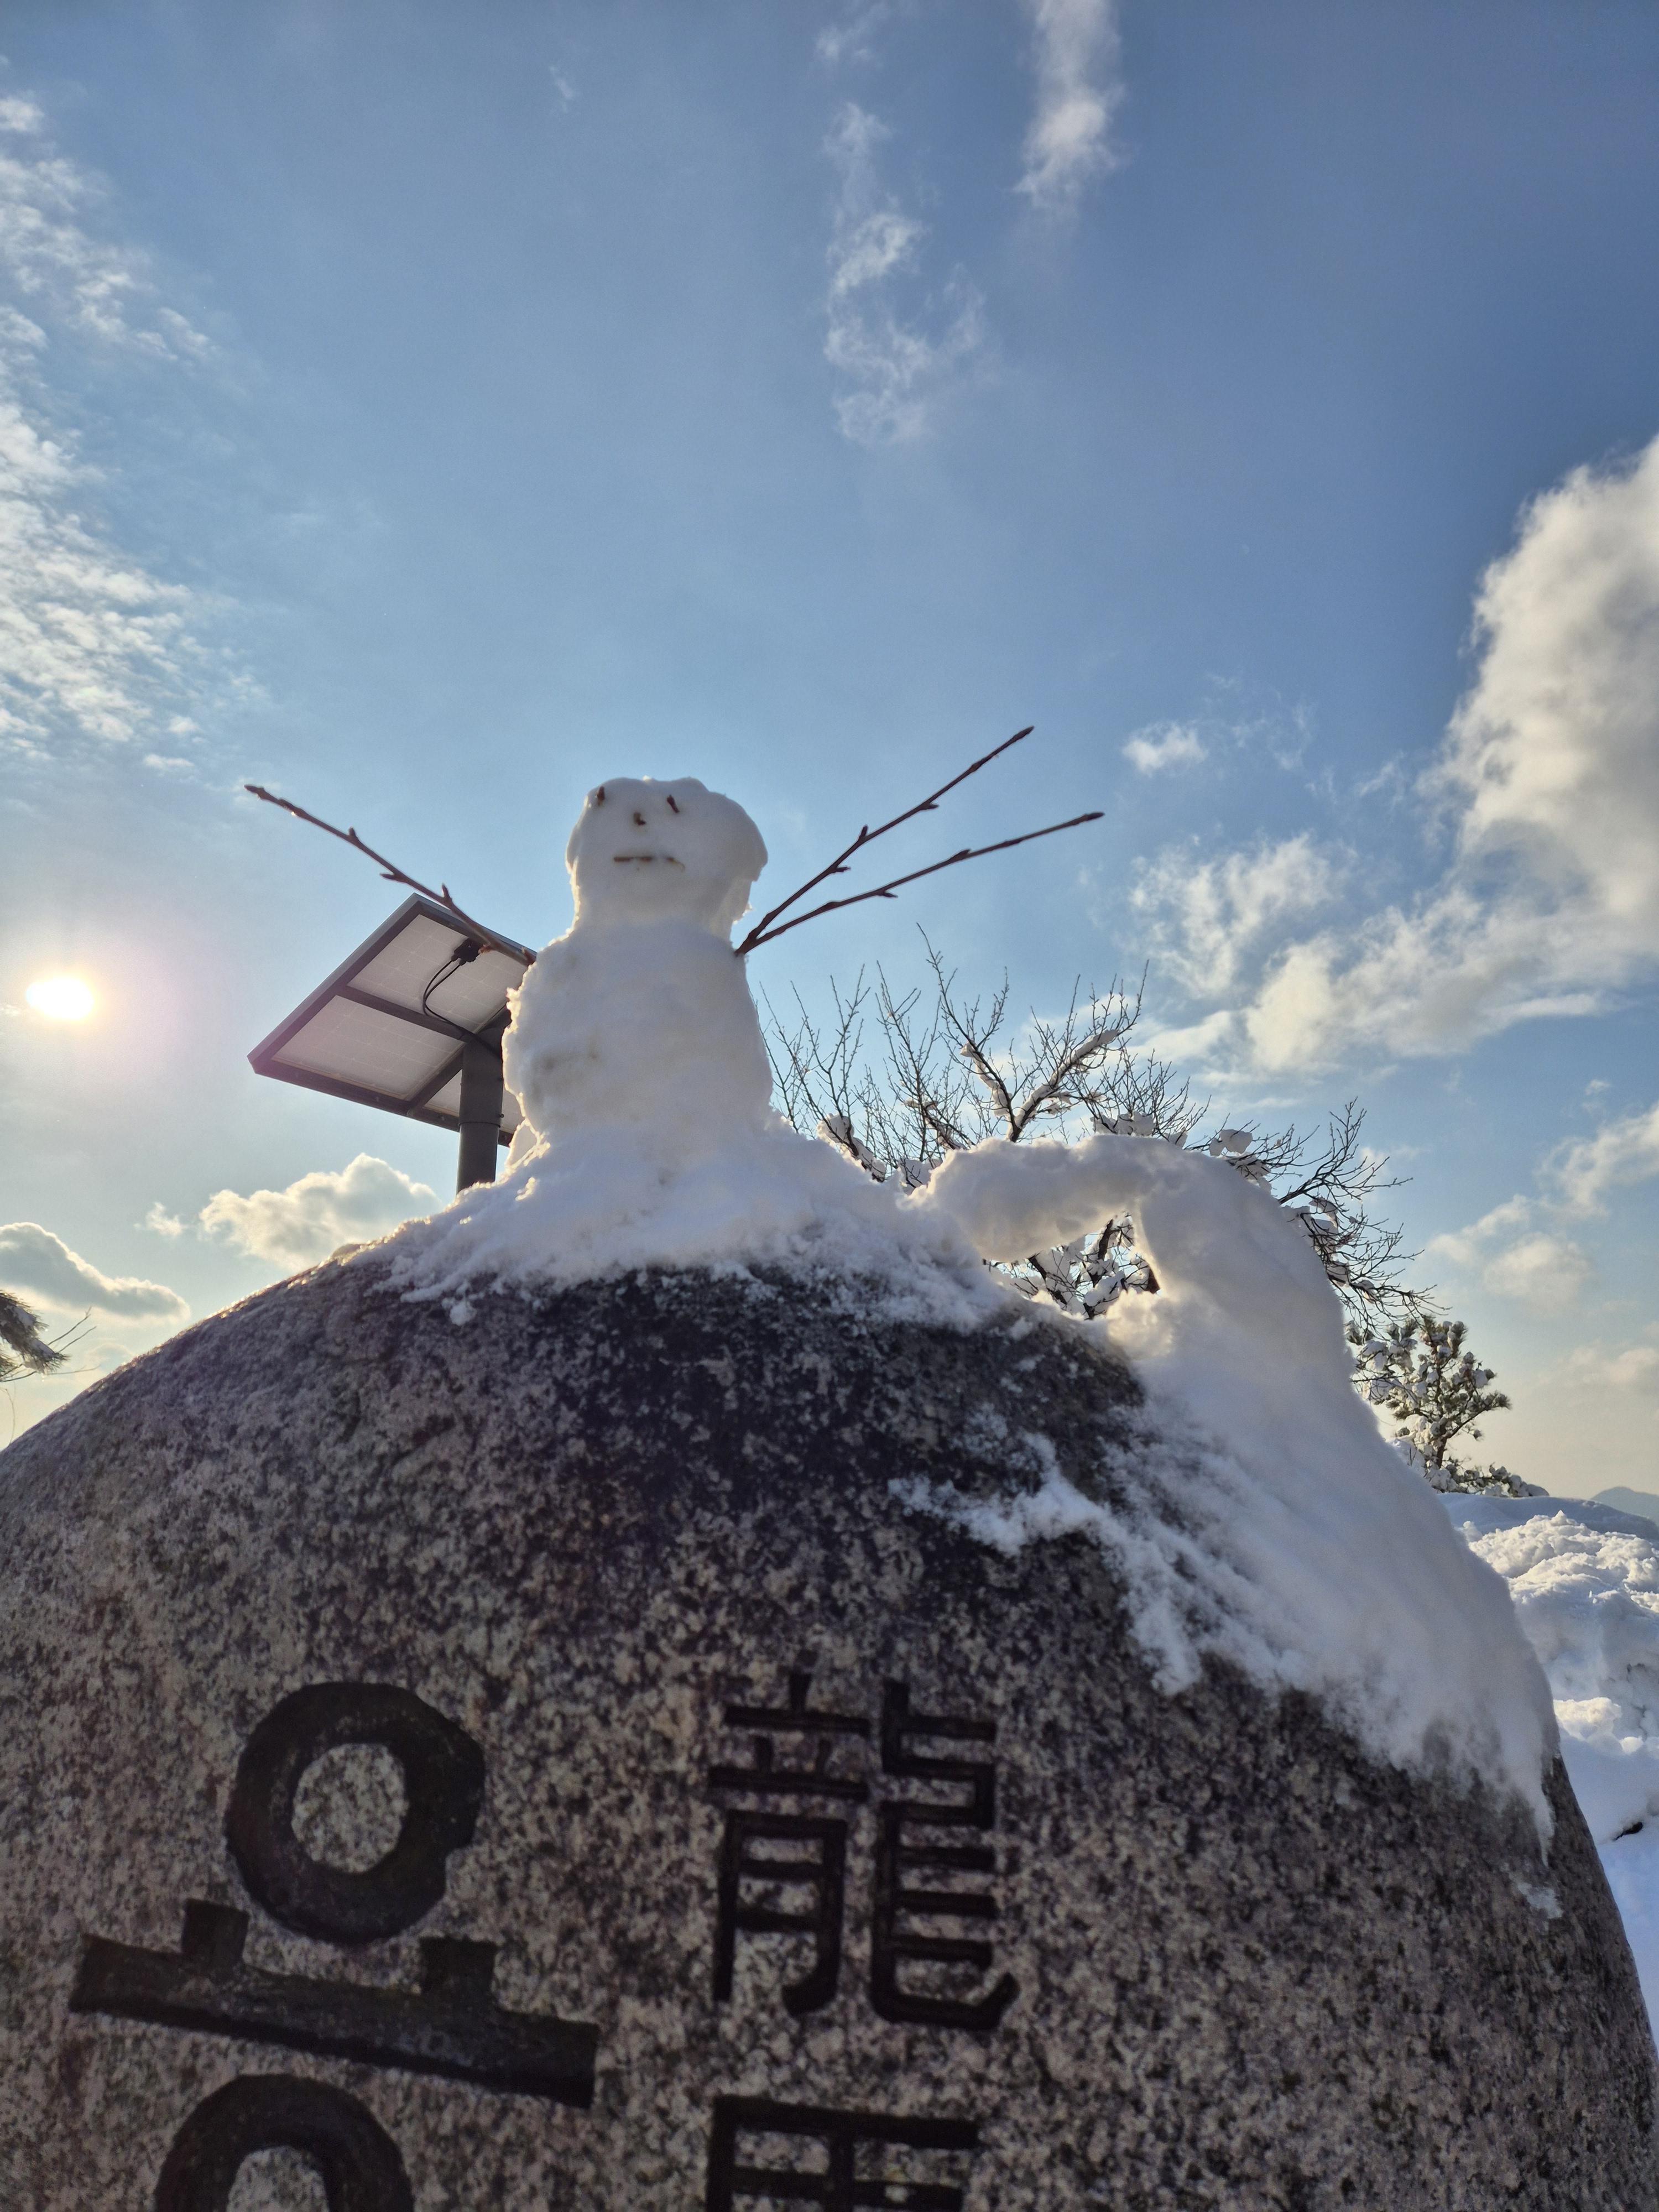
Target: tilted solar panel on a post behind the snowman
{"x":386,"y":1034}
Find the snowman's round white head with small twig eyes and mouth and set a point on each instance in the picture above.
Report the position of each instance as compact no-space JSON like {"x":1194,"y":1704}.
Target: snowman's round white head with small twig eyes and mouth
{"x":649,"y":853}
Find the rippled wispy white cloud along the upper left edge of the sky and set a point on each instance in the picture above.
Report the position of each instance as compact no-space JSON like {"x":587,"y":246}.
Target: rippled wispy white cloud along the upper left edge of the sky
{"x":92,"y":645}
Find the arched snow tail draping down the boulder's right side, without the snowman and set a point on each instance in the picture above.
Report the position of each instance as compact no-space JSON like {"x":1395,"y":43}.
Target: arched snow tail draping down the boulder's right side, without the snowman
{"x":1291,"y":1536}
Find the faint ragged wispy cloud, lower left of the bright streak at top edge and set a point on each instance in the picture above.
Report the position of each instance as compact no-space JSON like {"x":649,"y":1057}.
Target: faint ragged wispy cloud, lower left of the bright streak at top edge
{"x":895,"y":371}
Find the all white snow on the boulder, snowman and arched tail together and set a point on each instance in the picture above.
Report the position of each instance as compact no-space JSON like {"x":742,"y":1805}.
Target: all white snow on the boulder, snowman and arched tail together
{"x":1264,"y":1519}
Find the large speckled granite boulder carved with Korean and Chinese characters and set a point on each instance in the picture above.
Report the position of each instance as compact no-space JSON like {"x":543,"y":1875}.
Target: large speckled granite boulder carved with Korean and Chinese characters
{"x":1251,"y":1968}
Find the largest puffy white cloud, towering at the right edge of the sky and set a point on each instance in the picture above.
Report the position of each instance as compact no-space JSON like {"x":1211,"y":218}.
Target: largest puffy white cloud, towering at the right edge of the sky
{"x":1550,"y":773}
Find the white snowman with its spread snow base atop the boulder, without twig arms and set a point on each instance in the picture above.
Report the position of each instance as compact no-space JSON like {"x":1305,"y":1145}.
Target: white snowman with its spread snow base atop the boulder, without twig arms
{"x":649,"y":1134}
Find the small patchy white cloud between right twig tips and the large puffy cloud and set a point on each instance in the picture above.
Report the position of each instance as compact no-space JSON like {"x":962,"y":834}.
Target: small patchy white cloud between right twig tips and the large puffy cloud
{"x":1207,"y":917}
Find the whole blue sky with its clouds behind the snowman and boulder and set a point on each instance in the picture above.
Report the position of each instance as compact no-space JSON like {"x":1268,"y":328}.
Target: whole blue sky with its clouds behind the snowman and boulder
{"x":435,"y":410}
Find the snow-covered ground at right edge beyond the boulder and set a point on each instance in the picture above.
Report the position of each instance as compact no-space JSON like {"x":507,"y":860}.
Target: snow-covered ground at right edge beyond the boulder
{"x":1585,"y":1580}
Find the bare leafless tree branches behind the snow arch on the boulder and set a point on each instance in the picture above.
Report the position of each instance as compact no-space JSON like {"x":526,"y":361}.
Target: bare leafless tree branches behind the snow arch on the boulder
{"x":948,"y":1072}
